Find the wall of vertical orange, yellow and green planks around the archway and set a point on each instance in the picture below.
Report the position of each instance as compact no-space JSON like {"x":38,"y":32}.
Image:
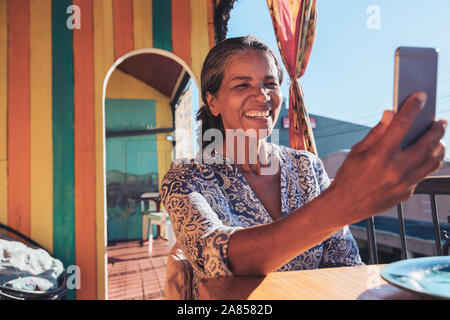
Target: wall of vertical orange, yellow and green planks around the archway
{"x":52,"y":118}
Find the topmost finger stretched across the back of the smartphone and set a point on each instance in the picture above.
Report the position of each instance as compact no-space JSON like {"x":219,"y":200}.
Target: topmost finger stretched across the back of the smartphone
{"x":403,"y":120}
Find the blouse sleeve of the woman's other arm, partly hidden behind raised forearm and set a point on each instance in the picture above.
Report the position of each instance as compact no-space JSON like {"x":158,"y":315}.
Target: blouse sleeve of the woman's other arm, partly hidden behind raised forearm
{"x":341,"y":248}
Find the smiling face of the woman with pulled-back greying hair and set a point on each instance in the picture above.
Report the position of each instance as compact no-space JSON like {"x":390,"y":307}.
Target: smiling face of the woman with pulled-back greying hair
{"x":250,"y":95}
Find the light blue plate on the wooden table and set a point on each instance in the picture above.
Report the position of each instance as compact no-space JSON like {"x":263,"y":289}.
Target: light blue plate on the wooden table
{"x":429,"y":276}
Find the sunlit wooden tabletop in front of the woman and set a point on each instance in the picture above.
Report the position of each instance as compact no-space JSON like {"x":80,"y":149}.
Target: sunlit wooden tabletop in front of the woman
{"x":343,"y":283}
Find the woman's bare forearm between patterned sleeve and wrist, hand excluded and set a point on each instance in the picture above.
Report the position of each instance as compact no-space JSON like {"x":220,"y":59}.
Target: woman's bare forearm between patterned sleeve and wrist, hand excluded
{"x":265,"y":248}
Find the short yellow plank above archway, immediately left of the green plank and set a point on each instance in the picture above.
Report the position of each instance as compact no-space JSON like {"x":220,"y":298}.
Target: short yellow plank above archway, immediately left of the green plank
{"x":143,"y":27}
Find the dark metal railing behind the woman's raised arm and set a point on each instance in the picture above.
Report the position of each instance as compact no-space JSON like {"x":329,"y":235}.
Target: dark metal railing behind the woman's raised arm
{"x":431,"y":186}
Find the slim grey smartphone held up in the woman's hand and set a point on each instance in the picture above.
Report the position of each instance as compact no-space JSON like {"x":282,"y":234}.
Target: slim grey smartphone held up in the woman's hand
{"x":416,"y":70}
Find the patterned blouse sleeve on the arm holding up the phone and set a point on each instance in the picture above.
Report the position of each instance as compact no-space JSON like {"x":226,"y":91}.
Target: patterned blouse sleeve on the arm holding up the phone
{"x":202,"y":235}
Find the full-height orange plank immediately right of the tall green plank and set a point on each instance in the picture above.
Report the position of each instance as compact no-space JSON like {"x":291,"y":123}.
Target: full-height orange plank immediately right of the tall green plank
{"x":84,"y":152}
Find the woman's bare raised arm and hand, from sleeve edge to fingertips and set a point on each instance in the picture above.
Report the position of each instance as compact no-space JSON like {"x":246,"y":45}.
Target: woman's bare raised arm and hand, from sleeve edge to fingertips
{"x":376,"y":175}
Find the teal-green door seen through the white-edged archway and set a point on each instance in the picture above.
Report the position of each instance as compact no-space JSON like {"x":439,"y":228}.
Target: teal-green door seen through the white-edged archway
{"x":131,"y":166}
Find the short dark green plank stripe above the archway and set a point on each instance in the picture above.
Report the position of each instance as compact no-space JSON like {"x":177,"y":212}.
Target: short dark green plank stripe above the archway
{"x":162,"y":25}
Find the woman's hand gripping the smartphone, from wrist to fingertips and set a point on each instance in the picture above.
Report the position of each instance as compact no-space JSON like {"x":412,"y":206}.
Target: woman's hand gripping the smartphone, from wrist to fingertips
{"x":377,"y":174}
